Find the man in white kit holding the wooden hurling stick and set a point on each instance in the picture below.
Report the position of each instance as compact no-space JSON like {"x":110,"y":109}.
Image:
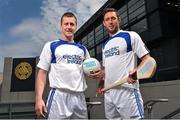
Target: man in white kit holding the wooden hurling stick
{"x":120,"y":53}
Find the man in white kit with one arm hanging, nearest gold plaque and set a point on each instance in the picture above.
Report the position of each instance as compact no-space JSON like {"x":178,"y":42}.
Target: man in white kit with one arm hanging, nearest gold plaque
{"x":62,"y":60}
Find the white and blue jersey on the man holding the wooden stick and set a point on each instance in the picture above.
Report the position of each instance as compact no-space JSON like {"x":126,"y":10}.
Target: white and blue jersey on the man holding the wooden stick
{"x":120,"y":54}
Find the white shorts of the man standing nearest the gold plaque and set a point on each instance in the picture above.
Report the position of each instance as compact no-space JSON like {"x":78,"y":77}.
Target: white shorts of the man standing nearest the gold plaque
{"x":66,"y":105}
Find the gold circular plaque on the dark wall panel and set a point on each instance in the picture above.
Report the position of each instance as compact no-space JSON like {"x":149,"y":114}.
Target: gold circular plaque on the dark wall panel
{"x":23,"y":70}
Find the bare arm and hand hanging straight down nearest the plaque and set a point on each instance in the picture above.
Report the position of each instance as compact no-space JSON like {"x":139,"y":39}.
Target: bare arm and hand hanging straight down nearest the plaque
{"x":40,"y":107}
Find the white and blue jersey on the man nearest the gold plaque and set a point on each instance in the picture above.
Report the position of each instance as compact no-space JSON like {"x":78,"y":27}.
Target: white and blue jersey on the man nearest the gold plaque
{"x":63,"y":60}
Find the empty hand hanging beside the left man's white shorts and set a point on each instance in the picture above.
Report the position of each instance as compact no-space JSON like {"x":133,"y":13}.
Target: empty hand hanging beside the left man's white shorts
{"x":40,"y":108}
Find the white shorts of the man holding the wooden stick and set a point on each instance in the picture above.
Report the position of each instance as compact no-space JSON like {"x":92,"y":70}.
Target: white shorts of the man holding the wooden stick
{"x":123,"y":103}
